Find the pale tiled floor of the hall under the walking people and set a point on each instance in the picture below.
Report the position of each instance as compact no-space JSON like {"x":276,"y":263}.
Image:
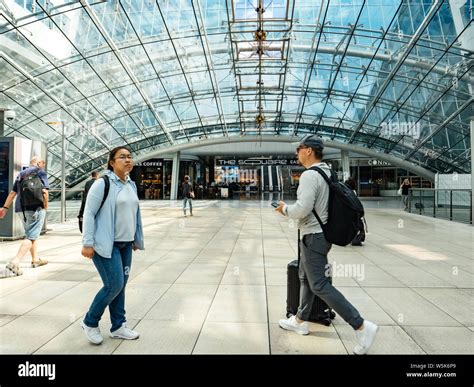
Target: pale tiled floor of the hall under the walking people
{"x":216,"y":283}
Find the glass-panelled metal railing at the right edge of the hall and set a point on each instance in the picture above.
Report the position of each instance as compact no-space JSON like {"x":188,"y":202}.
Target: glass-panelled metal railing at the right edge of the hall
{"x":451,"y":204}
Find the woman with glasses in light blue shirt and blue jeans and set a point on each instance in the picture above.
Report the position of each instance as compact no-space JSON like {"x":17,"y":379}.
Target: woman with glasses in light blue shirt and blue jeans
{"x":112,"y":229}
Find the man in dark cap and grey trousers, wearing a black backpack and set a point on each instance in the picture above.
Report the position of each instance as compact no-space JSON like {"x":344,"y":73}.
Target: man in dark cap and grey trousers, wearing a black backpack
{"x":312,"y":211}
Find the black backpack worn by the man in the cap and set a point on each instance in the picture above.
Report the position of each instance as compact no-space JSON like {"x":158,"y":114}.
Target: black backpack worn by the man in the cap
{"x":344,"y":213}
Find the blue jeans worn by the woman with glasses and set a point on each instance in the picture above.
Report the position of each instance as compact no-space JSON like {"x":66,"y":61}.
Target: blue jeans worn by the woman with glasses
{"x":114,"y":272}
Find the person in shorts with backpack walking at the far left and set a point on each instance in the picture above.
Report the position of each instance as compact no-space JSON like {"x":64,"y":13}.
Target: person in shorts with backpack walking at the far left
{"x":31,"y":192}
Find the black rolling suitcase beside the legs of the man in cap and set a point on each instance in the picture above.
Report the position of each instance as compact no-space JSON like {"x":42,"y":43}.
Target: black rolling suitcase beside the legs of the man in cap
{"x":320,"y":311}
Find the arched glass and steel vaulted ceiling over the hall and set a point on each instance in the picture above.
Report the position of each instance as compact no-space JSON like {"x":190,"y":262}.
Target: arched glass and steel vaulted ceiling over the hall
{"x":395,"y":76}
